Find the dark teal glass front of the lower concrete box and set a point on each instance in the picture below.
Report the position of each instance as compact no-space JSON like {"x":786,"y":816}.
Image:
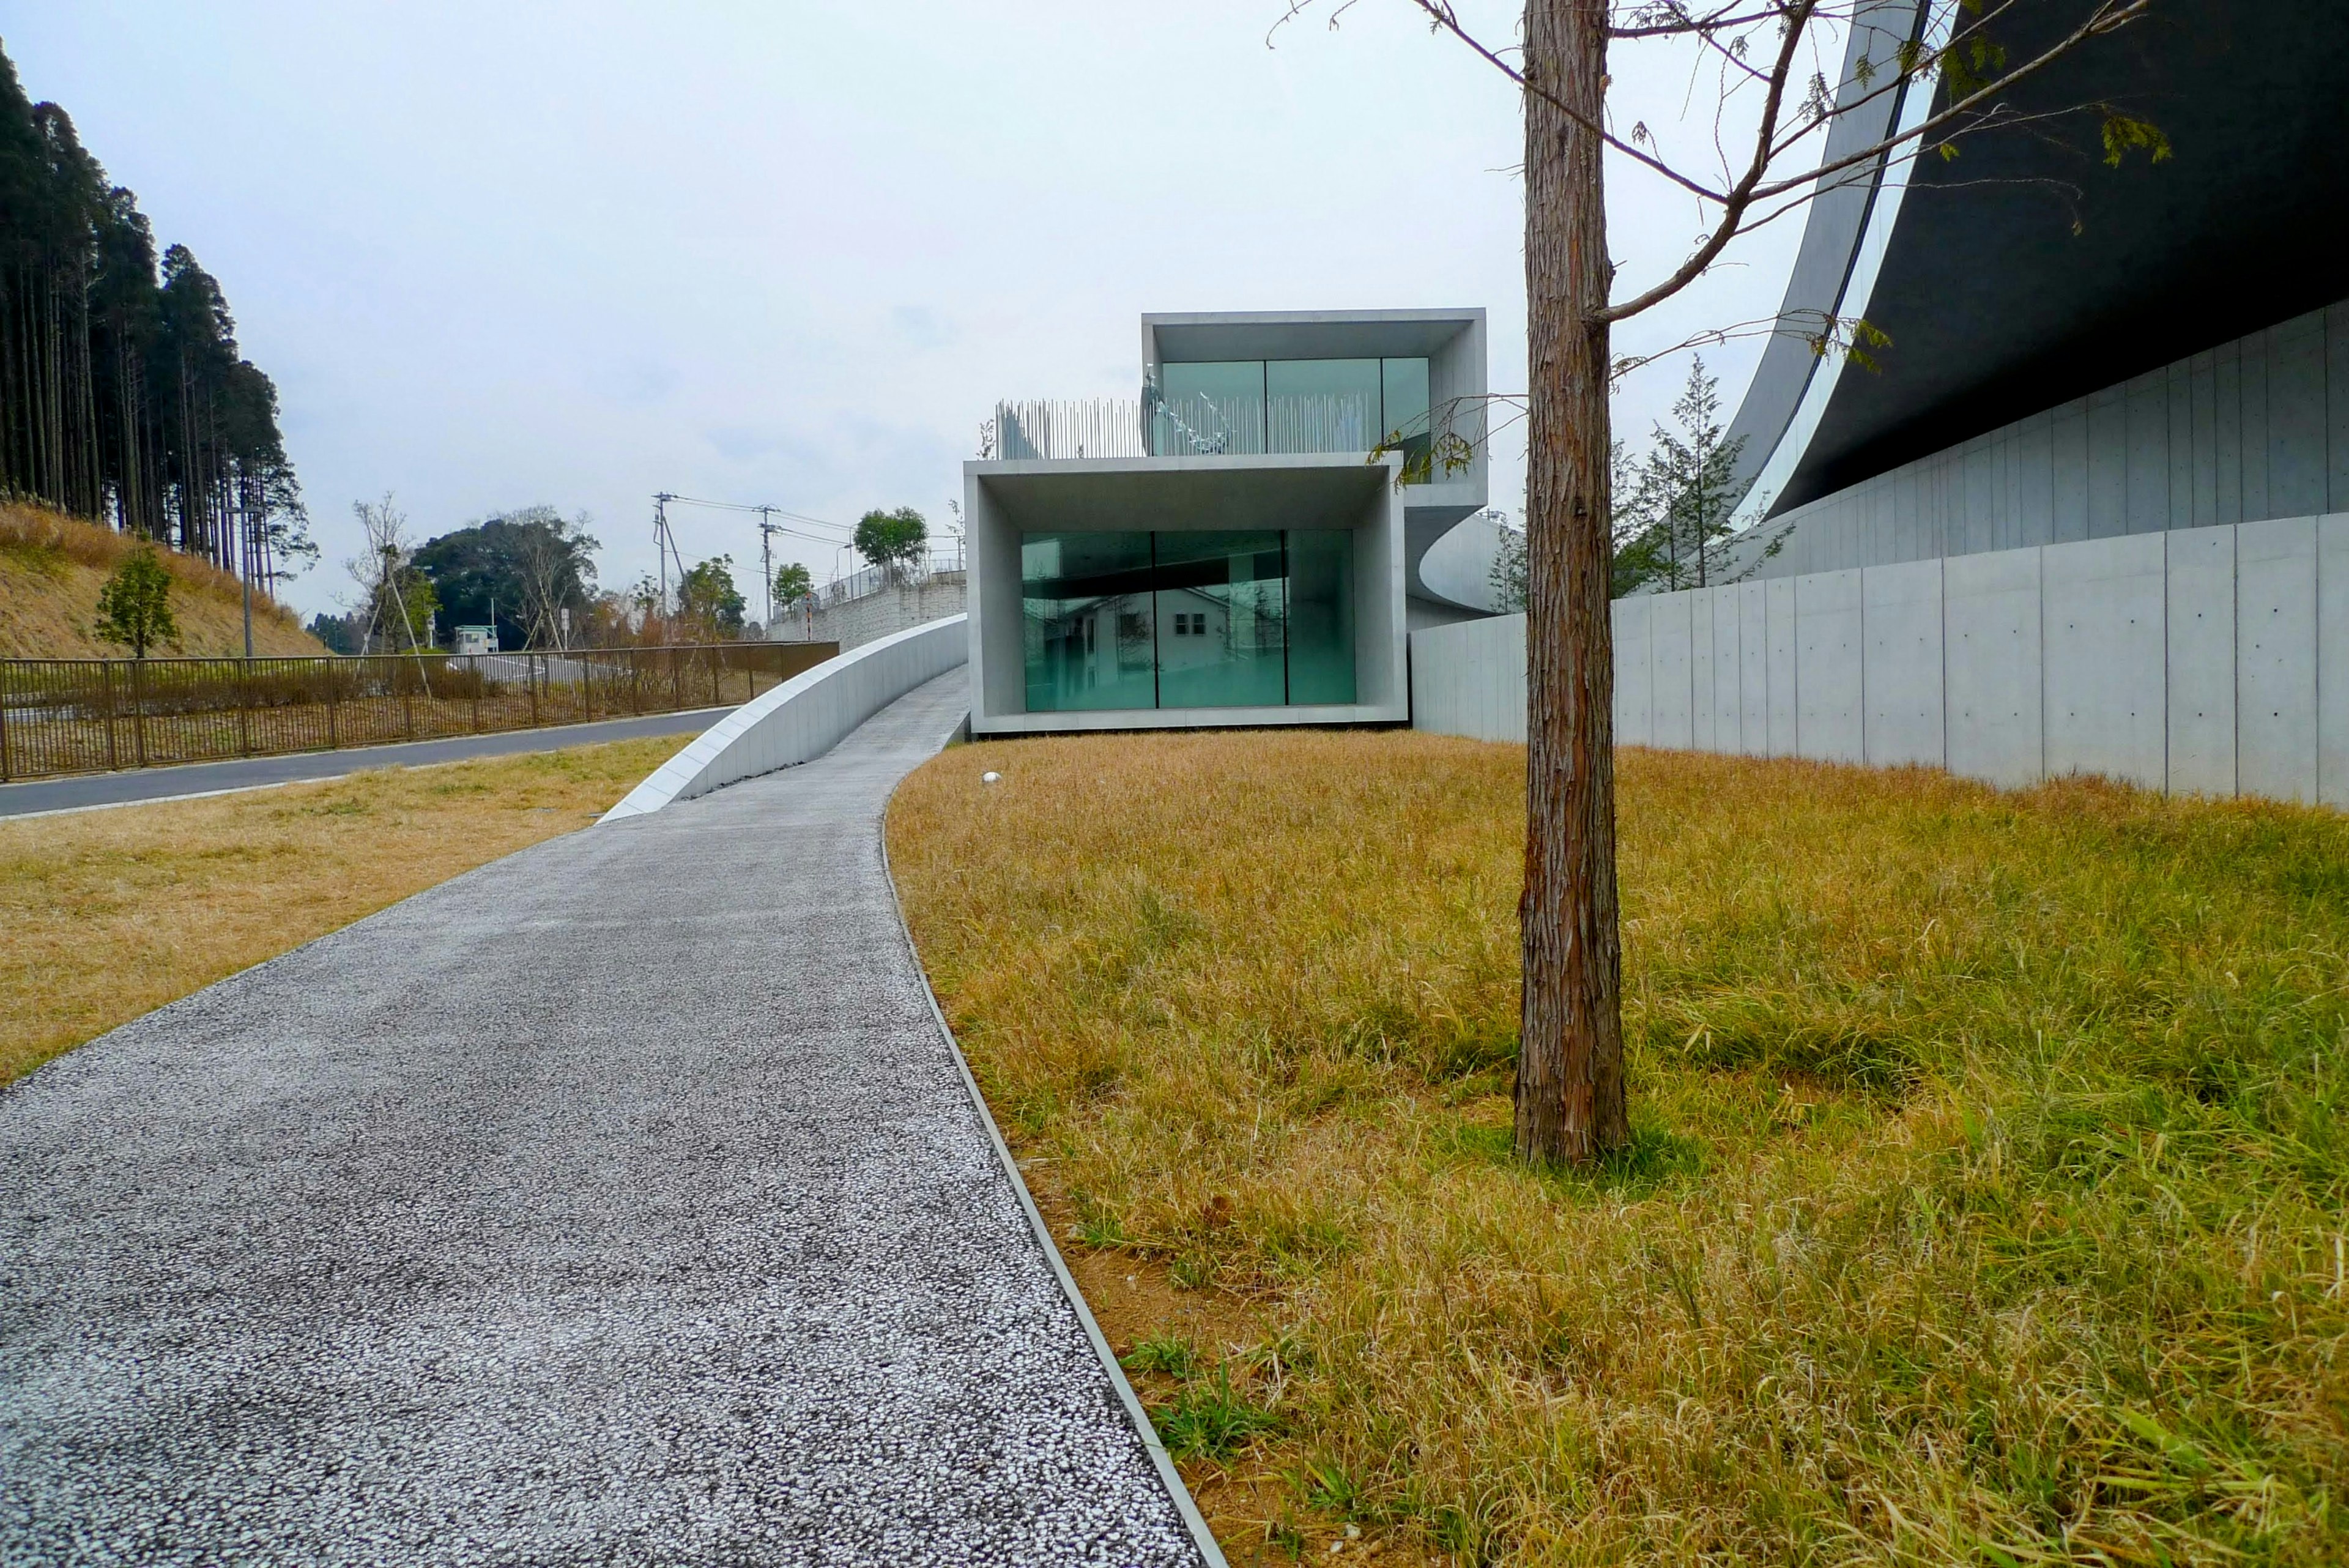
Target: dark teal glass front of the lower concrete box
{"x":1187,"y":619}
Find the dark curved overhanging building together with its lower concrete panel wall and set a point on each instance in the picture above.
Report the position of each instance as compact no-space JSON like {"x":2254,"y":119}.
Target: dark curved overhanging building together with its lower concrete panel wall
{"x":2089,"y":514}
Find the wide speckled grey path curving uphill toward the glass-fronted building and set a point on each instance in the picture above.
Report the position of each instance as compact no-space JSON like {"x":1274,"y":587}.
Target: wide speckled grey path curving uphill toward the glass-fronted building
{"x":619,"y":1202}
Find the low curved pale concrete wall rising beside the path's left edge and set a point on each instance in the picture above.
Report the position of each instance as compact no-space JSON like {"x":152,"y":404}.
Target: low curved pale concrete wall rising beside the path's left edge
{"x":805,"y":716}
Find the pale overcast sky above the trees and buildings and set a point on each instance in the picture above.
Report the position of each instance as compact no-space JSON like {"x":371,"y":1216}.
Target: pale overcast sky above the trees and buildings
{"x":577,"y":253}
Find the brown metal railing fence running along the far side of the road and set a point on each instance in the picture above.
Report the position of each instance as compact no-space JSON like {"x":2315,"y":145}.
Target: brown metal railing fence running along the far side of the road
{"x":86,"y":716}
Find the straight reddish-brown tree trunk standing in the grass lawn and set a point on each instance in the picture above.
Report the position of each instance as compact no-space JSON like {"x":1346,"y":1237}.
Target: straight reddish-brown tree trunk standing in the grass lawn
{"x":1570,"y":1066}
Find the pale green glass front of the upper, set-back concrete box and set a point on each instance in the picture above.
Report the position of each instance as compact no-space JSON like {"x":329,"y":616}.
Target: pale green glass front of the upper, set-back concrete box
{"x":1291,"y":406}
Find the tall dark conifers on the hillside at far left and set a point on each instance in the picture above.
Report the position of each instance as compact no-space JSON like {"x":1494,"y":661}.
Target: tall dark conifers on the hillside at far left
{"x":123,"y":394}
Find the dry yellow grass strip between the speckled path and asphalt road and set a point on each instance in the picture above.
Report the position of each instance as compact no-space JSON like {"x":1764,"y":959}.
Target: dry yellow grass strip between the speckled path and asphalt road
{"x":114,"y":913}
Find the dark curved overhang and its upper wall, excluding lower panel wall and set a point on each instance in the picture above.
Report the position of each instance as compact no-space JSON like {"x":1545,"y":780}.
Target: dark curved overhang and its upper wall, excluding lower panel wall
{"x":2078,"y":351}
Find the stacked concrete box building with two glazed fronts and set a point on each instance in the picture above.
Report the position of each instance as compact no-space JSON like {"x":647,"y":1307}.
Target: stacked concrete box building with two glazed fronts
{"x":1246,"y":542}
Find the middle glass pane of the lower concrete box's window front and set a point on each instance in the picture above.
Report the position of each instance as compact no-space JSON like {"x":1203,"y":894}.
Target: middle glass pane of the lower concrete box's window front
{"x":1223,"y":619}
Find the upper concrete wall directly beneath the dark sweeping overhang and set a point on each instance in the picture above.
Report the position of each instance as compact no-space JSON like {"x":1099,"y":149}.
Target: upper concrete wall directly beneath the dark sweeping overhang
{"x":2240,"y":434}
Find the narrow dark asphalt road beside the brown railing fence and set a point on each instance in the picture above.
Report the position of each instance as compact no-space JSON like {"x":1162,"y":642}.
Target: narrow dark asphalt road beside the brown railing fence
{"x":250,"y":772}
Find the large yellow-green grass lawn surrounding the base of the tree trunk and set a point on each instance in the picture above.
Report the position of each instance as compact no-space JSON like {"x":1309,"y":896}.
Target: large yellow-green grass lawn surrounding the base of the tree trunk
{"x":1986,"y":1202}
